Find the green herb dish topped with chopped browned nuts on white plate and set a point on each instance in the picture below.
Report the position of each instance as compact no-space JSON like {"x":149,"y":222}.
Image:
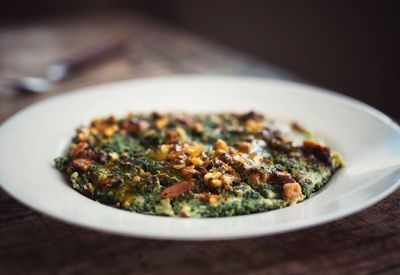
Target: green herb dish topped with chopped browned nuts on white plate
{"x":201,"y":165}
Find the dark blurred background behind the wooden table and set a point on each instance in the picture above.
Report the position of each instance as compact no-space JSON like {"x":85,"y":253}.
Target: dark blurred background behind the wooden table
{"x":348,"y":46}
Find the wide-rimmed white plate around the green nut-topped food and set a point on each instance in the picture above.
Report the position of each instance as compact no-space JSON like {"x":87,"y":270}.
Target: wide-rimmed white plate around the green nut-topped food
{"x":369,"y":141}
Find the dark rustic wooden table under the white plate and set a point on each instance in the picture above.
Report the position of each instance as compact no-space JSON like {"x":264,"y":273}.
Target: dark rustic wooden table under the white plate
{"x":30,"y":243}
